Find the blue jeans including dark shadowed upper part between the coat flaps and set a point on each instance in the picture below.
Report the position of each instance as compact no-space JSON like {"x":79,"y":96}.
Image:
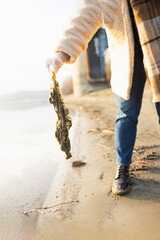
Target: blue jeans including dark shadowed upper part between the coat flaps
{"x":128,"y":112}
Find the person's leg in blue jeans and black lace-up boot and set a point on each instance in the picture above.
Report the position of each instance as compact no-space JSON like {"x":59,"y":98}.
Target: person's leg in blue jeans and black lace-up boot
{"x":126,"y":125}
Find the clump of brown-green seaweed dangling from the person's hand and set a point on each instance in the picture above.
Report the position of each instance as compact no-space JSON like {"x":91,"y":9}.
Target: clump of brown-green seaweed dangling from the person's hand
{"x":64,"y":121}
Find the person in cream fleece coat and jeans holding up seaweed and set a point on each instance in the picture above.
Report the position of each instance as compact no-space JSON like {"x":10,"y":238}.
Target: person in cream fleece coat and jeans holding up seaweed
{"x":128,"y":55}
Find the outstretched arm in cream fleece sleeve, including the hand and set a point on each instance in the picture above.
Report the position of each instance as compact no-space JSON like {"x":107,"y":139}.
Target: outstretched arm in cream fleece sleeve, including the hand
{"x":81,"y":30}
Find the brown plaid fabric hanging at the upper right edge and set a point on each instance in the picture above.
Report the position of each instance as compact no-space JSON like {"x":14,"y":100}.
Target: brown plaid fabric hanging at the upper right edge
{"x":147,"y":17}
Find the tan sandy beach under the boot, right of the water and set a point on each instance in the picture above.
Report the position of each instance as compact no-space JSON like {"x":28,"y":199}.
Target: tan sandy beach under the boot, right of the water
{"x":98,"y":214}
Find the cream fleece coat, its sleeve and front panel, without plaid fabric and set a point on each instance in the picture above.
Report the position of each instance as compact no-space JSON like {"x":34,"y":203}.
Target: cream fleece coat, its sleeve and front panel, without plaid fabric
{"x":116,"y":17}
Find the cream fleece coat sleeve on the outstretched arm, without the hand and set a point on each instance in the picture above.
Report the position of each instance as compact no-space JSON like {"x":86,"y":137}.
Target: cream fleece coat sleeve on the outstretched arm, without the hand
{"x":81,"y":29}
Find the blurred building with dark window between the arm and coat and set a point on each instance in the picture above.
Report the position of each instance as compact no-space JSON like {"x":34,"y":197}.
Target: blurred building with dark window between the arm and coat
{"x":90,"y":68}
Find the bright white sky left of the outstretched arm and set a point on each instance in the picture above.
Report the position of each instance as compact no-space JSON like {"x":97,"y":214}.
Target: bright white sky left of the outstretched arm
{"x":30,"y":30}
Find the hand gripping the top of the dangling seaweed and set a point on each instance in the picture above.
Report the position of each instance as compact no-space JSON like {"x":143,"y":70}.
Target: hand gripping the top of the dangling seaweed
{"x":55,"y":63}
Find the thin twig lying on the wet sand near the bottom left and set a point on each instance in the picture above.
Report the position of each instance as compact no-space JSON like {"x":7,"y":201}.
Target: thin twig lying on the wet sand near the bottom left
{"x":42,"y":209}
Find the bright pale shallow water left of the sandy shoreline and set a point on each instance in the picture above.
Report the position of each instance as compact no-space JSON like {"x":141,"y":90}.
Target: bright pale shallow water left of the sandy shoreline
{"x":30,"y":157}
